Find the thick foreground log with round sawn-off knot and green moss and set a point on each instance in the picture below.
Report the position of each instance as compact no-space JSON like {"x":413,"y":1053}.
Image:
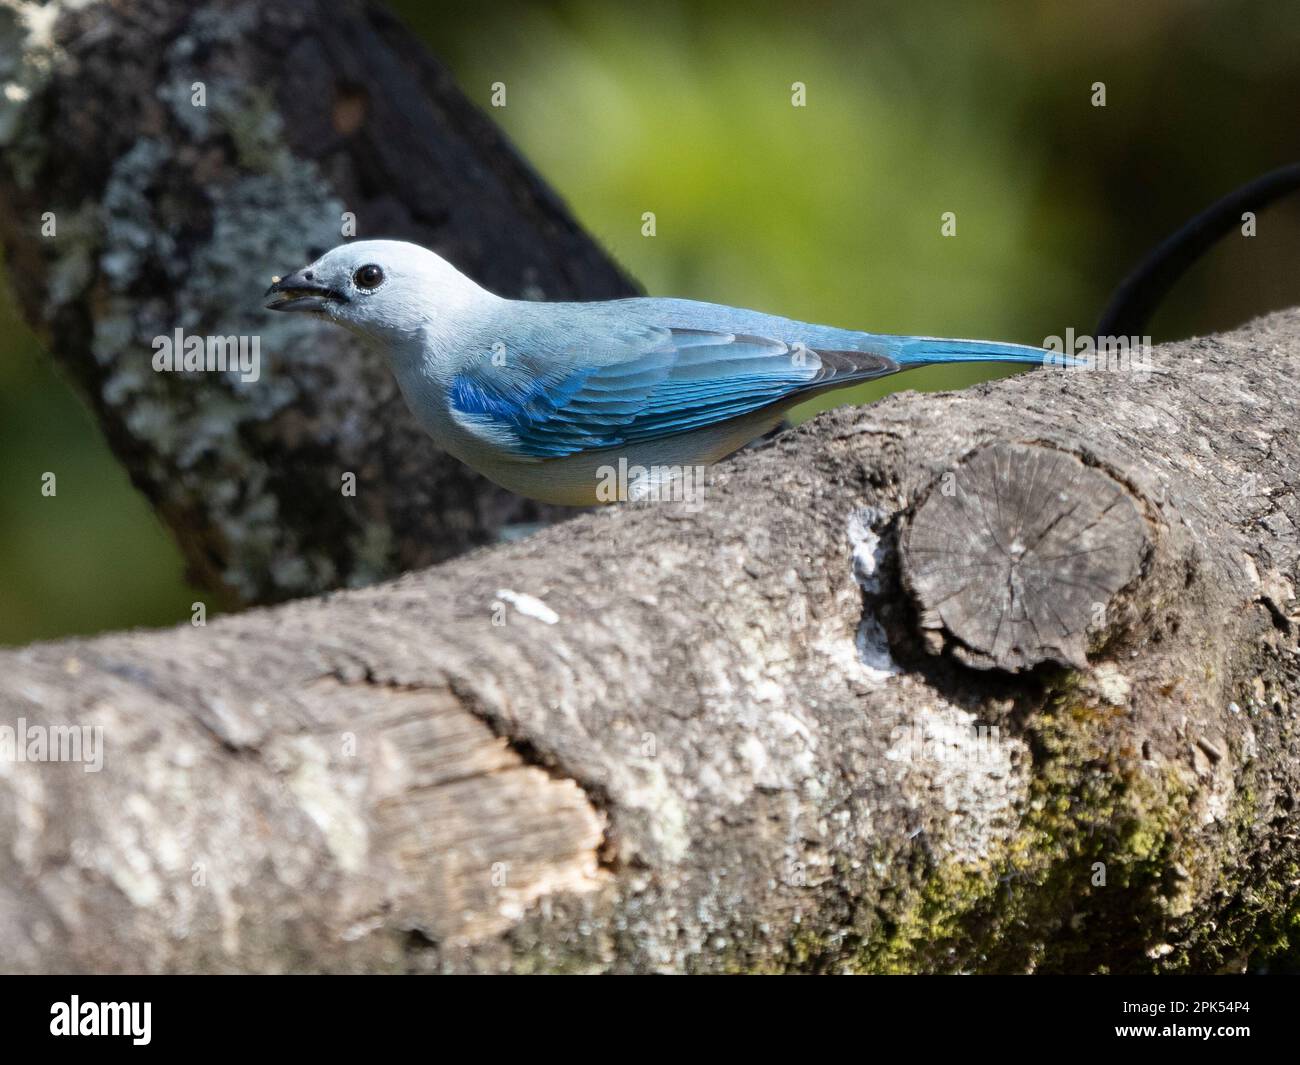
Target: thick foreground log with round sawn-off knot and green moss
{"x":1003,"y":681}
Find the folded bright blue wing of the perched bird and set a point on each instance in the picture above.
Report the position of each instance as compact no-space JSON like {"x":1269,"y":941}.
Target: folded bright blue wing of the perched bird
{"x":665,"y":382}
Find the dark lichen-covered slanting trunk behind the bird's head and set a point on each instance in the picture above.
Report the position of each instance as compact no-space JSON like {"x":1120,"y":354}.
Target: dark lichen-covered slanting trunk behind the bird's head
{"x":159,"y":162}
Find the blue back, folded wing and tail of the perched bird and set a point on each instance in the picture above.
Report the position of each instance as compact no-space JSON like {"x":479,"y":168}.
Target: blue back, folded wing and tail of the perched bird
{"x":605,"y":375}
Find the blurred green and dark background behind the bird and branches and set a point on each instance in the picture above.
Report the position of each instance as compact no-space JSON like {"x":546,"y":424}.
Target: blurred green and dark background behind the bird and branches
{"x":829,"y":213}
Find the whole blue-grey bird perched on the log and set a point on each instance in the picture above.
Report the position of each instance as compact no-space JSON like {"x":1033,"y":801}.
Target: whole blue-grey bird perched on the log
{"x":547,"y":399}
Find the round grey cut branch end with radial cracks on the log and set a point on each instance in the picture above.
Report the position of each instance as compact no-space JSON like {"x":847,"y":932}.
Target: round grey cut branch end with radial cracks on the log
{"x":1017,"y":552}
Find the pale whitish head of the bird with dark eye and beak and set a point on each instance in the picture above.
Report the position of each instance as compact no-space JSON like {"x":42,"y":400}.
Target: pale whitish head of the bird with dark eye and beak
{"x":387,"y":291}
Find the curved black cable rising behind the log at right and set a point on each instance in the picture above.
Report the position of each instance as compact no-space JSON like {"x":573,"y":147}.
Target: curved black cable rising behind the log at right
{"x":1141,"y":293}
